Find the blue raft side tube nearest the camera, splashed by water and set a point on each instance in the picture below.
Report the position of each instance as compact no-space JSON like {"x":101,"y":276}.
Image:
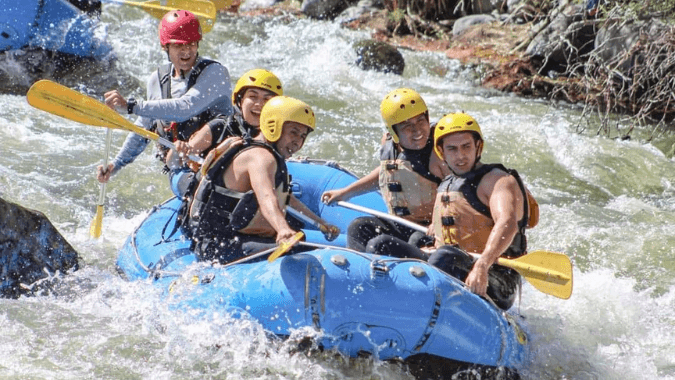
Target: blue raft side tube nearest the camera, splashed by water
{"x":358,"y":308}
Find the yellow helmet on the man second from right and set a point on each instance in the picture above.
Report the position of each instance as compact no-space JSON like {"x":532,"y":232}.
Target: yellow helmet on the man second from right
{"x":399,"y":106}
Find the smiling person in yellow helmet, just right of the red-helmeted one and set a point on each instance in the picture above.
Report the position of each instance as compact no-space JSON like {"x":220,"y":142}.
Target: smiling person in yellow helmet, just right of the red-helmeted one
{"x":250,"y":94}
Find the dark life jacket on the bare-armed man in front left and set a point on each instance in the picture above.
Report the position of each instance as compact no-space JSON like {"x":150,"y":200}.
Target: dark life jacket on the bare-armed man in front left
{"x":213,"y":209}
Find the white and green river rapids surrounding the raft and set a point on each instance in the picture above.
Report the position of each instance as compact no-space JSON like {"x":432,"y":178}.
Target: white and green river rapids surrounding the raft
{"x":605,"y":202}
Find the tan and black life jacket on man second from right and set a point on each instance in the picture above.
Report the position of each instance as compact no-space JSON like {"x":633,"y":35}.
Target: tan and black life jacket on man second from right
{"x":407,"y":186}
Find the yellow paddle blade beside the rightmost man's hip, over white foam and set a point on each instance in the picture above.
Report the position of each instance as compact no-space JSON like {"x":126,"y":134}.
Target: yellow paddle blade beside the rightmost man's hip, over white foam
{"x":549,"y":272}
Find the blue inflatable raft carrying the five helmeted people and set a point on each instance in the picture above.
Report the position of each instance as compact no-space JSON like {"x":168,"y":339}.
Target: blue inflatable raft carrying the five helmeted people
{"x":356,"y":303}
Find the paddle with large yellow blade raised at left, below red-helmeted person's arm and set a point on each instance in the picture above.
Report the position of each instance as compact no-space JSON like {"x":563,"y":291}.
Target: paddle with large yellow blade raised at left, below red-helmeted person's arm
{"x":70,"y":104}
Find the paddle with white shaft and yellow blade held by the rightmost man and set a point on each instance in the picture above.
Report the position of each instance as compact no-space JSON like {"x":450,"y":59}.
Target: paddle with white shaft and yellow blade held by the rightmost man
{"x":549,"y":272}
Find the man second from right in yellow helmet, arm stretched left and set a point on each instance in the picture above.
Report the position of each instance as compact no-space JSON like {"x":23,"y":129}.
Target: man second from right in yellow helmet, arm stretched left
{"x":407,"y":176}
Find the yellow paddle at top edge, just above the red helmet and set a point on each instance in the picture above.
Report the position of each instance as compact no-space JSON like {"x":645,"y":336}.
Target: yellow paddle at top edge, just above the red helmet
{"x":204,"y":10}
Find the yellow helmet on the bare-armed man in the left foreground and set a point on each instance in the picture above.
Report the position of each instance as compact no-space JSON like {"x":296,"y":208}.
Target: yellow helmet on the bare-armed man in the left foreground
{"x":281,"y":109}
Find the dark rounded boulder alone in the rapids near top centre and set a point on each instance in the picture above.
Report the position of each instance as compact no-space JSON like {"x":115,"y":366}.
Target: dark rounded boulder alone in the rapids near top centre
{"x":379,"y":56}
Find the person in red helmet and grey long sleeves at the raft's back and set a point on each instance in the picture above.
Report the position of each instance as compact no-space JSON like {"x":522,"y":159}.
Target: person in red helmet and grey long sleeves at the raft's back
{"x":182,"y":95}
